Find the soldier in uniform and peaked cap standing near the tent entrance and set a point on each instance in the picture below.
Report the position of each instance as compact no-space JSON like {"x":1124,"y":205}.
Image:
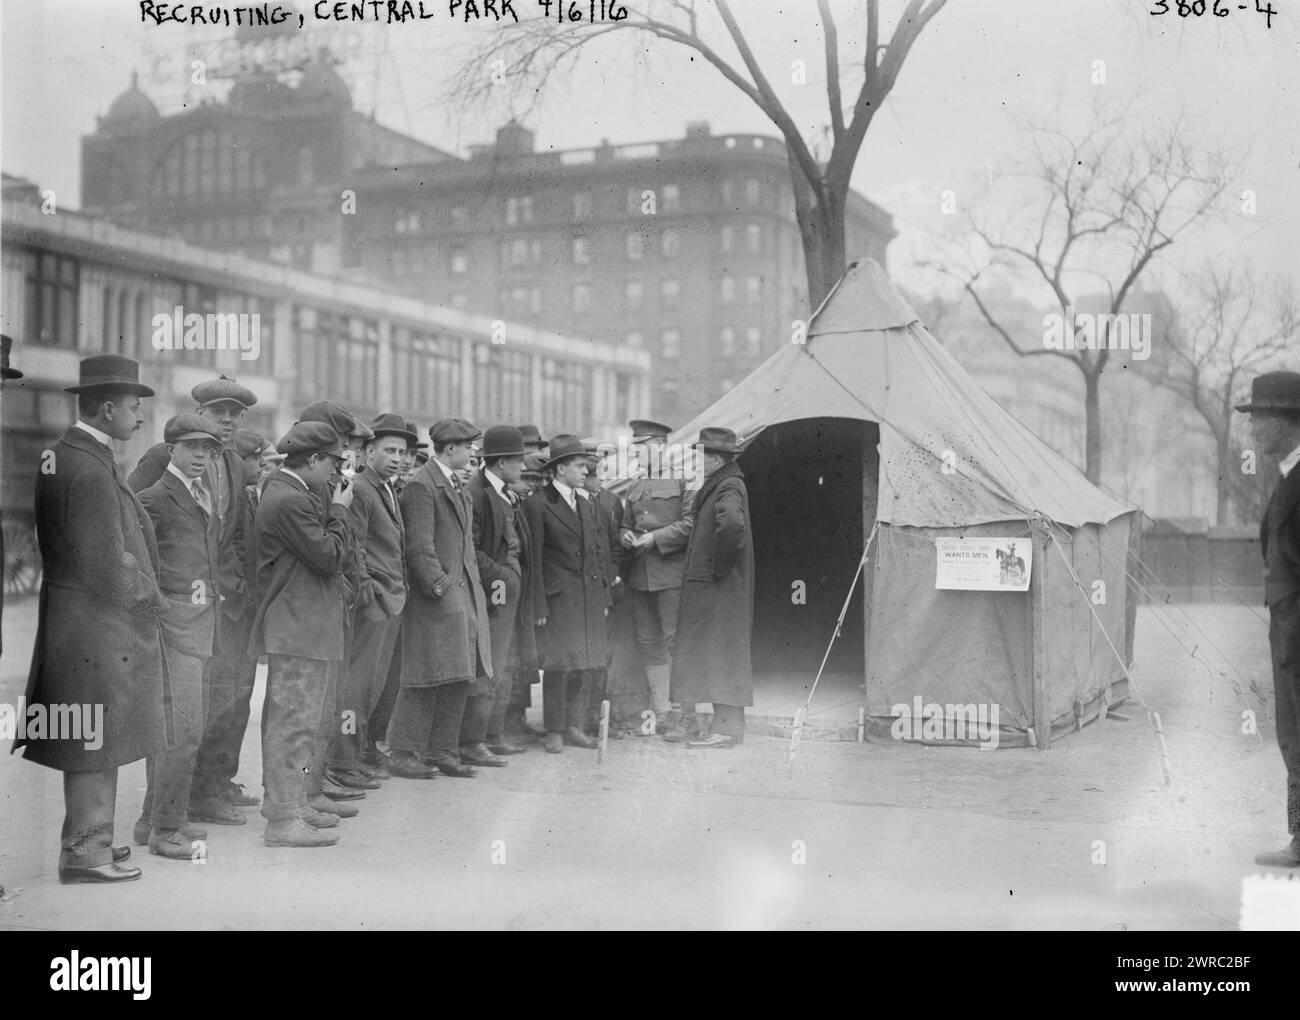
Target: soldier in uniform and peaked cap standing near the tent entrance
{"x":661,"y":519}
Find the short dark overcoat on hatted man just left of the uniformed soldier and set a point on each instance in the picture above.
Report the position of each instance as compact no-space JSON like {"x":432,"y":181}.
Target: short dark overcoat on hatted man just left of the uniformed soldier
{"x":571,"y":589}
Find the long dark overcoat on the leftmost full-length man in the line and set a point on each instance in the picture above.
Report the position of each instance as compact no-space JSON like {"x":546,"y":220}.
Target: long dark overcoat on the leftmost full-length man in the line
{"x":98,"y":633}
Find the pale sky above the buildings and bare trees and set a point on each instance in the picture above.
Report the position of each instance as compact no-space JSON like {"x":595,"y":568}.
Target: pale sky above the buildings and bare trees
{"x":978,"y":71}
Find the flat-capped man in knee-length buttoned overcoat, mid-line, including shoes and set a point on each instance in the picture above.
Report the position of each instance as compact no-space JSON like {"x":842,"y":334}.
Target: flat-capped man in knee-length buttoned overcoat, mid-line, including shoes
{"x":445,"y":640}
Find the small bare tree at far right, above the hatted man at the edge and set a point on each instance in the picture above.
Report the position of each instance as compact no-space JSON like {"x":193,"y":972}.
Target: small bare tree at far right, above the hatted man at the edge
{"x":1225,"y":335}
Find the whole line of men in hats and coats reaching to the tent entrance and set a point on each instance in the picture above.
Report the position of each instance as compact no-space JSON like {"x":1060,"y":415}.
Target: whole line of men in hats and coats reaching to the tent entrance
{"x":405,"y":596}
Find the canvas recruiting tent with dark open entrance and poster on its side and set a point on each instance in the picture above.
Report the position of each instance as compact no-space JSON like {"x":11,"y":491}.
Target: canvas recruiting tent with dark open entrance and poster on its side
{"x":873,"y":423}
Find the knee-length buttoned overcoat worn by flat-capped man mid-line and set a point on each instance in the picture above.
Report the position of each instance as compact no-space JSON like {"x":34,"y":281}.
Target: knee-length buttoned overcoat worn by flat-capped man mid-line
{"x":445,"y":633}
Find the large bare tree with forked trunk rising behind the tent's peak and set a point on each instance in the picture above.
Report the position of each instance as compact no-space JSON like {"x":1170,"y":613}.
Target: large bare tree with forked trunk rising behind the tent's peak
{"x":539,"y":51}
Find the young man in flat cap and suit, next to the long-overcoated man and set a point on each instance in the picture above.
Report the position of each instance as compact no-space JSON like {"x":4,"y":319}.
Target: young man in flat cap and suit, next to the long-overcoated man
{"x":188,"y":533}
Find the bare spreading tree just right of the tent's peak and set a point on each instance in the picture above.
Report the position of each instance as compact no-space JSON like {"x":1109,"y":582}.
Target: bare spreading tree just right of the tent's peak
{"x":1089,"y":216}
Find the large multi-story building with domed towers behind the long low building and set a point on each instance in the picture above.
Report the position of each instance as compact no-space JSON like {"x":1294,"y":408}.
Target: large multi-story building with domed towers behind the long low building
{"x":686,"y":249}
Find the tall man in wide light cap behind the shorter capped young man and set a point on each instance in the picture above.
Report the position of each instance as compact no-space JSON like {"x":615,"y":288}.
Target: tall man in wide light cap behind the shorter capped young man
{"x":229,"y":674}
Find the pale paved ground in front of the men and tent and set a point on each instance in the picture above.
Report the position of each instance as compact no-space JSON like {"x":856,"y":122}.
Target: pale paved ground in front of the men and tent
{"x":892,"y":836}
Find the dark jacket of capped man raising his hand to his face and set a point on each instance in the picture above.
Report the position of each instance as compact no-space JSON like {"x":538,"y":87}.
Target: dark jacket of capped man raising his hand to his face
{"x":302,"y":549}
